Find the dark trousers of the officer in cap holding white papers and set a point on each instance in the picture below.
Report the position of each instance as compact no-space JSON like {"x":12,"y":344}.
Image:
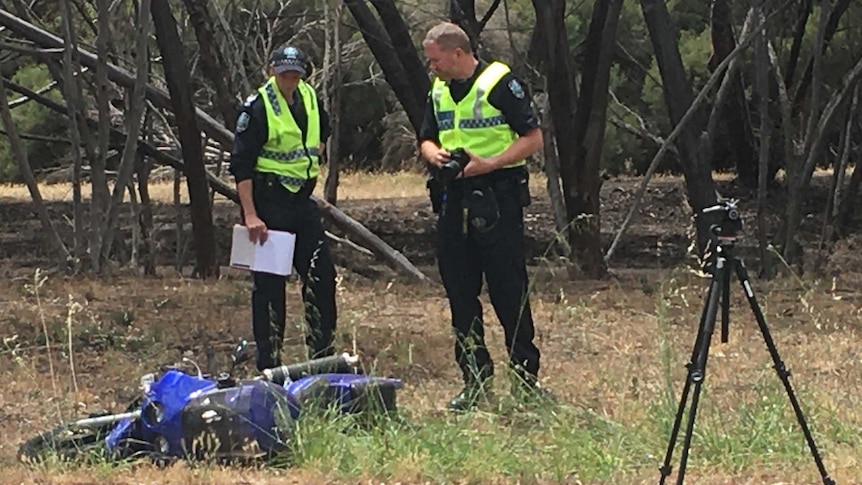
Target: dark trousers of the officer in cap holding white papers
{"x":296,"y":213}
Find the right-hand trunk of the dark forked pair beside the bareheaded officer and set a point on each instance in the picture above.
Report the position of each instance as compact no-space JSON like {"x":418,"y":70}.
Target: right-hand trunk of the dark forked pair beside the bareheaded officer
{"x":590,"y":121}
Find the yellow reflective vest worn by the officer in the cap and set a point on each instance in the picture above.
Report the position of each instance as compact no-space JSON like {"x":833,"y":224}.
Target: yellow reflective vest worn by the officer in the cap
{"x":284,"y":153}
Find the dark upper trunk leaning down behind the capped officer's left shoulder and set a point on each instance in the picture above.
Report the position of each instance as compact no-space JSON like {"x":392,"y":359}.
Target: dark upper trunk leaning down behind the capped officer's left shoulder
{"x":212,"y":62}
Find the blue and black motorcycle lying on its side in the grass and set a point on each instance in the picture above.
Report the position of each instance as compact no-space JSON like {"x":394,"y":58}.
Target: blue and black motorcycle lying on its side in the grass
{"x":197,"y":416}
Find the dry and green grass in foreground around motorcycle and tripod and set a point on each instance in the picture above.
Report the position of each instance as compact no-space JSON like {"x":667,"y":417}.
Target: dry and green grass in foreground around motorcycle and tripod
{"x":611,"y":351}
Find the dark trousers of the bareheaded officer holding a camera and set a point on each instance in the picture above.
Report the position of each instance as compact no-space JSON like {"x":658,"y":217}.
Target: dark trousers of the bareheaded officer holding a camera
{"x":499,"y":256}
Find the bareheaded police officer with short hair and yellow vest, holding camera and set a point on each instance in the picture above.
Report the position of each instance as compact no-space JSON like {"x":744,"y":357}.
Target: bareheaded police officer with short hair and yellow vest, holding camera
{"x":482,"y":108}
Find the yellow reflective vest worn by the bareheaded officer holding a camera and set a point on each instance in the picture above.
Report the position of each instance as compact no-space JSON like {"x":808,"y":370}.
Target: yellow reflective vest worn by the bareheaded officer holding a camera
{"x":473,"y":123}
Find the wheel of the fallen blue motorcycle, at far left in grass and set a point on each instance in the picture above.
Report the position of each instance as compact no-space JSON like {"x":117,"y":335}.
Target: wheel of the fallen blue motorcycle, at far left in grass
{"x":64,"y":442}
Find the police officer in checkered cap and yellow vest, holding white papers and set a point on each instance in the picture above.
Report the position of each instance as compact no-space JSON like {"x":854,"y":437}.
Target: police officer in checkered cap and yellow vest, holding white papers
{"x":280,"y":135}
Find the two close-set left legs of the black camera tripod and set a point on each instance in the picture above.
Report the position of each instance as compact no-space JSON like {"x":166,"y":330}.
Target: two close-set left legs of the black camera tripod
{"x":696,"y":370}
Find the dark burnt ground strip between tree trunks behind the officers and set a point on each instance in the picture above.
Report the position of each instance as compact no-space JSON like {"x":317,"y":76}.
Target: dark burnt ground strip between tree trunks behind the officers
{"x":658,"y":237}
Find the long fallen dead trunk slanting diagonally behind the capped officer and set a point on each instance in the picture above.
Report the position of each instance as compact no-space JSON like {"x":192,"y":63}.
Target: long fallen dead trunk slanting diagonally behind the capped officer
{"x":216,"y":131}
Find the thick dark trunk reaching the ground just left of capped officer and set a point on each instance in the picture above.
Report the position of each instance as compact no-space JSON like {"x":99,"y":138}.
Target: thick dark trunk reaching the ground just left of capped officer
{"x":177,"y":77}
